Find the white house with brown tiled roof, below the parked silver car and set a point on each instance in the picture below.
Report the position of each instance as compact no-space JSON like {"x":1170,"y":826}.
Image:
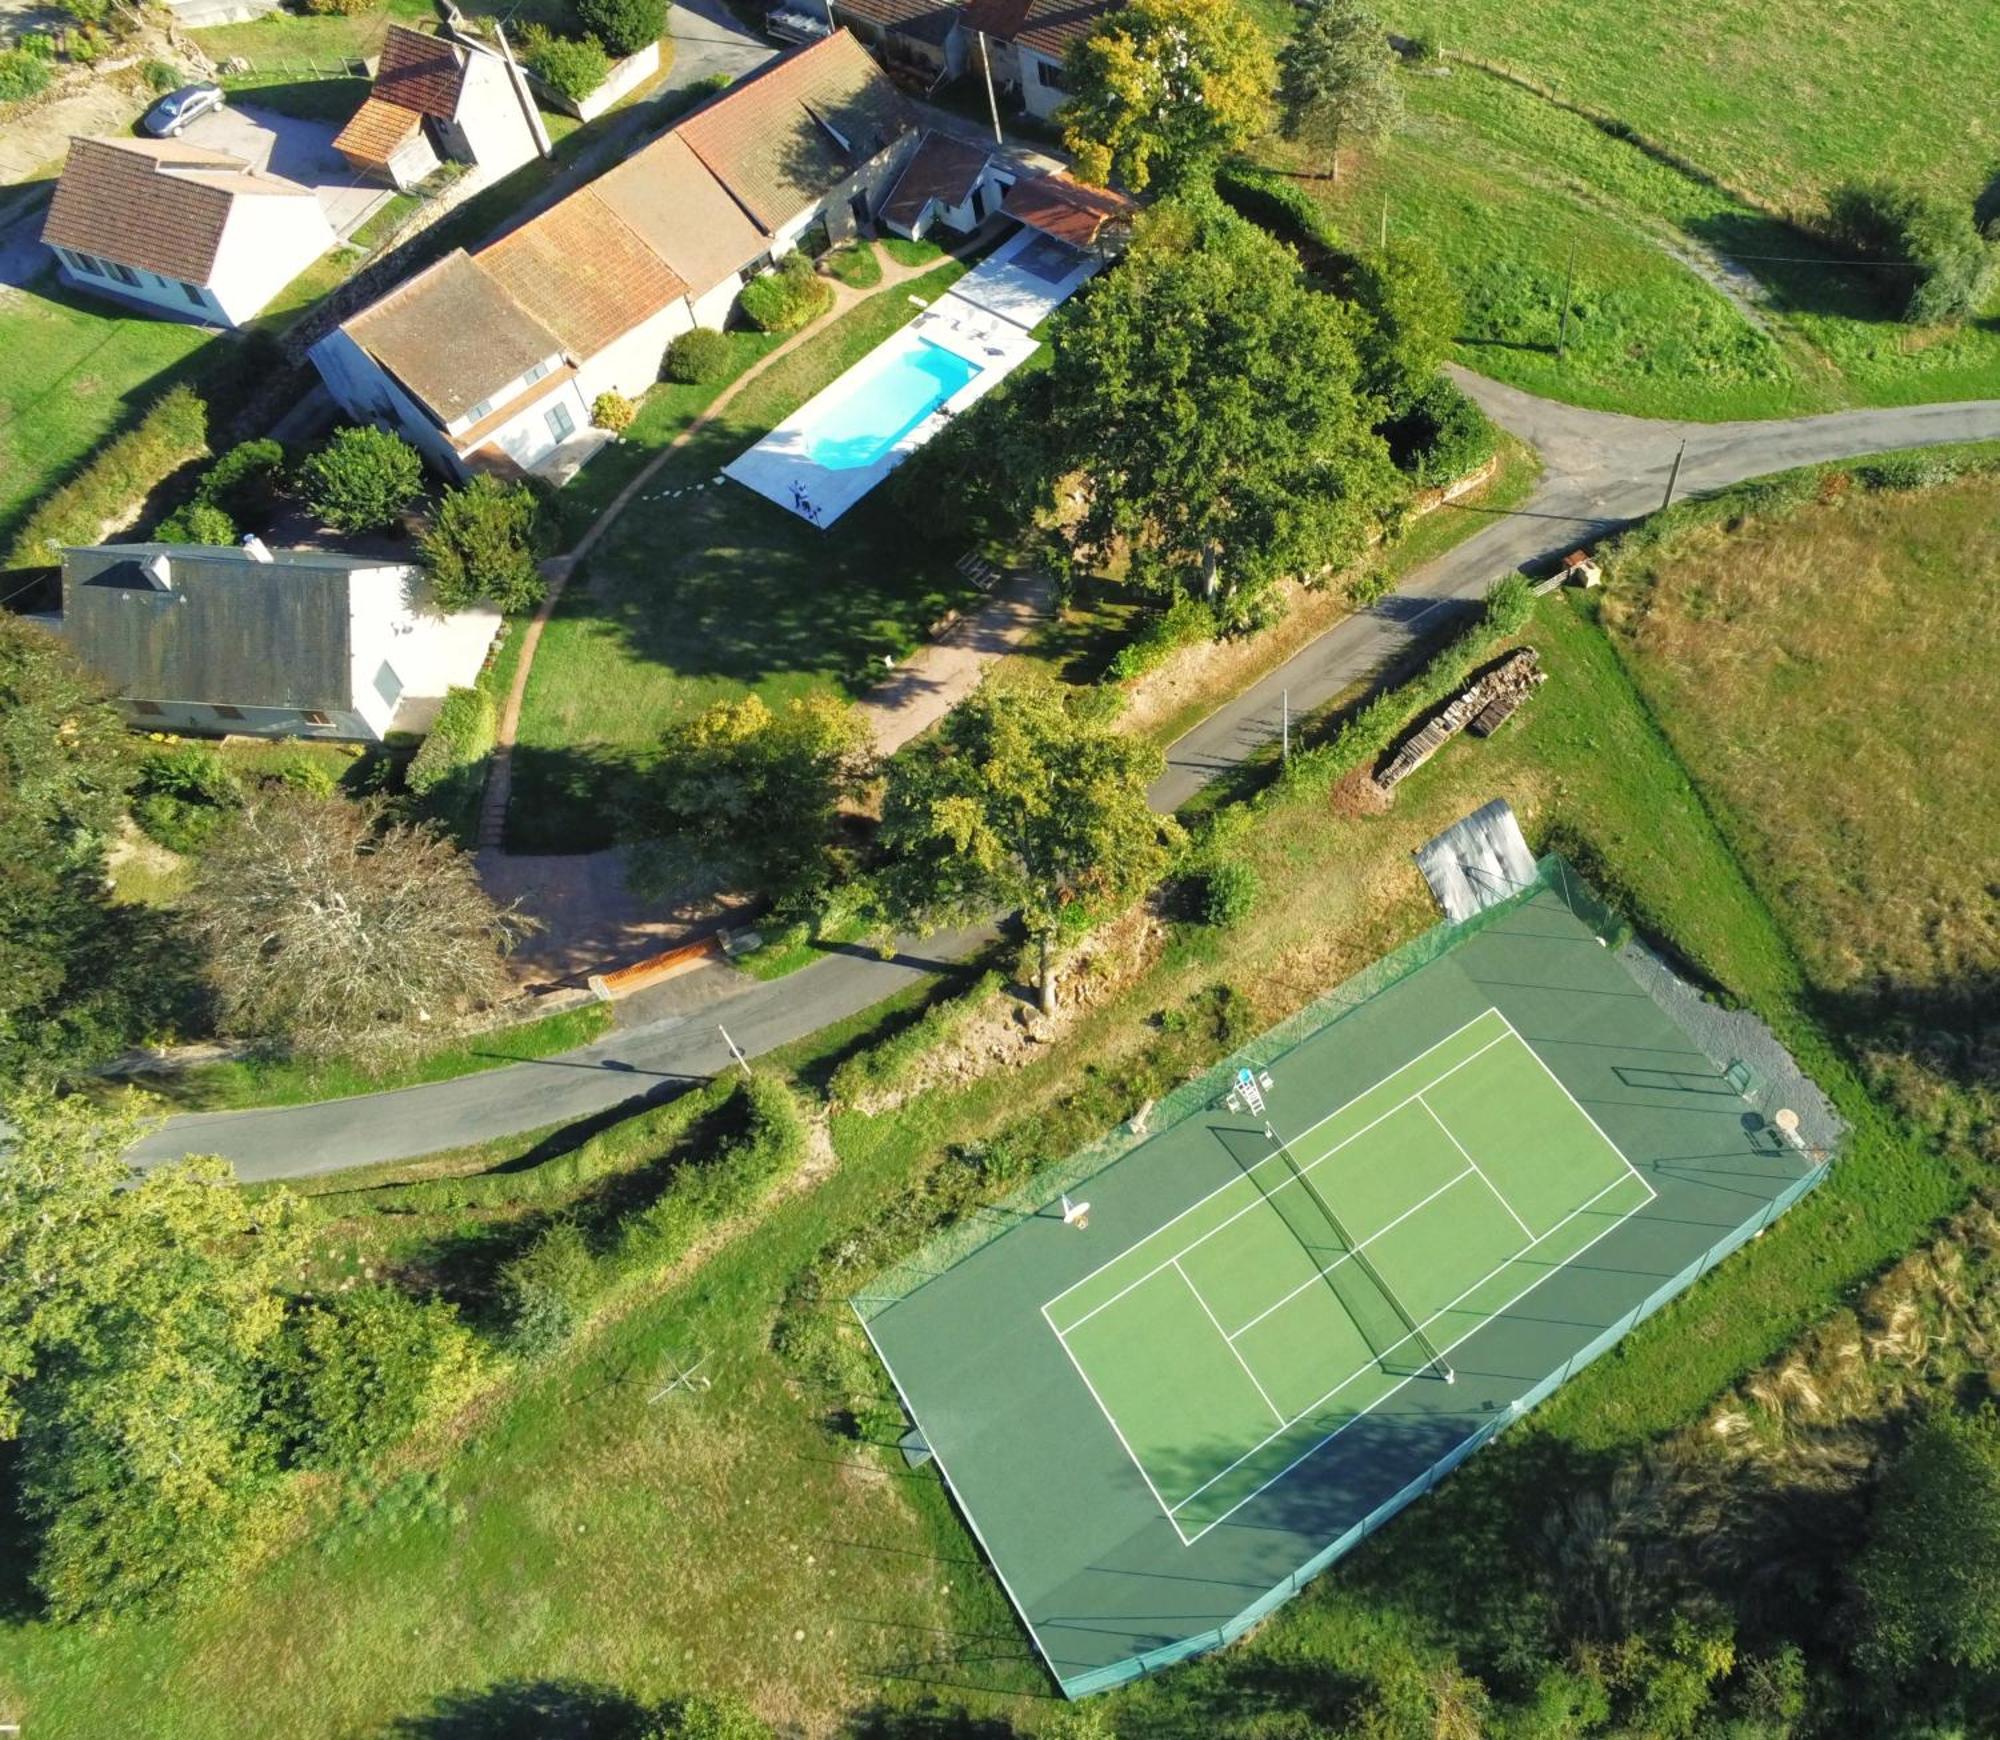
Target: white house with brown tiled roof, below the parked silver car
{"x":181,"y":229}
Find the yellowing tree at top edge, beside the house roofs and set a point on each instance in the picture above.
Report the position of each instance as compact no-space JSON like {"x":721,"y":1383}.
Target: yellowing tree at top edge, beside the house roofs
{"x":1163,"y":89}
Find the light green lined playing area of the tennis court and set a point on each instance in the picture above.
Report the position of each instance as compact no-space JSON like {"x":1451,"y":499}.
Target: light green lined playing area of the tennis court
{"x":1339,"y":1265}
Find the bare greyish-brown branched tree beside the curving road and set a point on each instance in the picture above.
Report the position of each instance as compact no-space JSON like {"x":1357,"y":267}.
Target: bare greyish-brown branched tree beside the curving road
{"x":333,"y":929}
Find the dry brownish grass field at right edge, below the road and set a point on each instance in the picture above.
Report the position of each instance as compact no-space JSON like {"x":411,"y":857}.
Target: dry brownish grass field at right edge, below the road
{"x":1827,"y":675}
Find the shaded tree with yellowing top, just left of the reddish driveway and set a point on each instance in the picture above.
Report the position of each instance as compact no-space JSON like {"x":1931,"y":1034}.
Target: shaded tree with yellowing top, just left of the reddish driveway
{"x":747,"y":797}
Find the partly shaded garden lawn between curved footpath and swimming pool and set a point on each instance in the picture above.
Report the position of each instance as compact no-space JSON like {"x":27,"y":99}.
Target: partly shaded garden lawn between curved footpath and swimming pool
{"x":705,"y":591}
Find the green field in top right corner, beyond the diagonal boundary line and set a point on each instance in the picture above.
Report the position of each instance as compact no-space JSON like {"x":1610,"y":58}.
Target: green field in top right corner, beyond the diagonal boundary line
{"x":1779,"y":97}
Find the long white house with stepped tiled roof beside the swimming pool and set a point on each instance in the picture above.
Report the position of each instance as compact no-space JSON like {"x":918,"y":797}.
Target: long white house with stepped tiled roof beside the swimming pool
{"x":495,"y":359}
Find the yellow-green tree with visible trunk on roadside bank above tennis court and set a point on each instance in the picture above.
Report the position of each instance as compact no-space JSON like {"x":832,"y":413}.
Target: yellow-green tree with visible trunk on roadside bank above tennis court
{"x":1025,"y":799}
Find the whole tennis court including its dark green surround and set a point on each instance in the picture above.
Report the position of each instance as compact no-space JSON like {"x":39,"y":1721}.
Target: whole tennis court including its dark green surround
{"x":1295,"y":1309}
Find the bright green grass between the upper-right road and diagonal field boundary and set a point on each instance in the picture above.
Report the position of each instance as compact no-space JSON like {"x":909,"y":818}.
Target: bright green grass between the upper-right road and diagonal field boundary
{"x":1685,"y":301}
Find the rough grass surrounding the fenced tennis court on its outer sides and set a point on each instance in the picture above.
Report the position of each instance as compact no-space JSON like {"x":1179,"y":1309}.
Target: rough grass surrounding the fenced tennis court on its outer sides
{"x":587,"y":1535}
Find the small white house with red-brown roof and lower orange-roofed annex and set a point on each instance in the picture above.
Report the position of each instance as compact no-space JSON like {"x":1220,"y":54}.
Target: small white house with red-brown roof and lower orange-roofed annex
{"x":443,"y":97}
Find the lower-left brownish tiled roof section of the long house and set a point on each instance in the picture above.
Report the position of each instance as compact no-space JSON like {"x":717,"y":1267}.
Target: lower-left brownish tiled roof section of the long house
{"x":453,"y":337}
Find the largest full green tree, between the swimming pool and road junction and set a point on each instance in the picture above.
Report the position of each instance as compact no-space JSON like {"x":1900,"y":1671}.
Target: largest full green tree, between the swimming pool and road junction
{"x":1209,"y":403}
